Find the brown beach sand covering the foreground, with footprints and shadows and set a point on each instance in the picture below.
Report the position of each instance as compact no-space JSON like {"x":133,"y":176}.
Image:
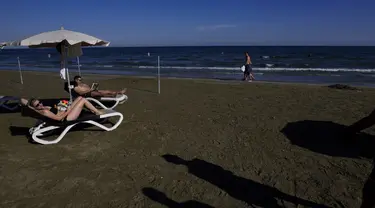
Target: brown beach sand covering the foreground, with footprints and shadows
{"x":199,"y":143}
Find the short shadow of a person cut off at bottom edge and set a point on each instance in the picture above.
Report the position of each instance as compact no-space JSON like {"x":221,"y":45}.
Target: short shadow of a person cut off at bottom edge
{"x":160,"y":197}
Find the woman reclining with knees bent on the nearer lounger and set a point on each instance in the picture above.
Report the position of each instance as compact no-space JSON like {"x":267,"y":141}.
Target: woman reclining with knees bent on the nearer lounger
{"x":71,"y":113}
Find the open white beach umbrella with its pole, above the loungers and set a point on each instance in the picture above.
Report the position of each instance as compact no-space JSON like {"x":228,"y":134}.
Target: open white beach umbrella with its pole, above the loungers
{"x":66,"y":42}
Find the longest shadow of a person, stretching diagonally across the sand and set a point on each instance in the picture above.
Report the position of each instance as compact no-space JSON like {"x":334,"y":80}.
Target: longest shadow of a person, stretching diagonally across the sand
{"x":251,"y":192}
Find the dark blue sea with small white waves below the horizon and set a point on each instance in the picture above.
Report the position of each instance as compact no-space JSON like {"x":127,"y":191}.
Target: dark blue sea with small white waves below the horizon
{"x":302,"y":64}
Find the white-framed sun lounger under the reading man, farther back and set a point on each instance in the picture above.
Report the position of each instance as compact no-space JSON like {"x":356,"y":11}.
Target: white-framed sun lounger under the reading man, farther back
{"x":110,"y":102}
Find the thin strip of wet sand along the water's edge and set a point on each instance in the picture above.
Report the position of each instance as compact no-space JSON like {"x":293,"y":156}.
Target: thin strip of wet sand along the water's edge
{"x":233,"y":81}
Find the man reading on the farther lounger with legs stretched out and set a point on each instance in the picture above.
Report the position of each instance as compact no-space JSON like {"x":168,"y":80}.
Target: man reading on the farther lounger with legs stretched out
{"x":85,"y":90}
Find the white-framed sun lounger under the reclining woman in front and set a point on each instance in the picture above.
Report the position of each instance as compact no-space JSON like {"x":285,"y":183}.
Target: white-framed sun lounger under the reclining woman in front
{"x":47,"y":127}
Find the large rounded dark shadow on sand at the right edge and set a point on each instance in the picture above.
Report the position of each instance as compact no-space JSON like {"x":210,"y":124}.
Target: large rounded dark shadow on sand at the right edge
{"x":328,"y":138}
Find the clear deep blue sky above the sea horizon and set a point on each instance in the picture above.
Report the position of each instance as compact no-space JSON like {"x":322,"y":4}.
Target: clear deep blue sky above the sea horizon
{"x":197,"y":22}
